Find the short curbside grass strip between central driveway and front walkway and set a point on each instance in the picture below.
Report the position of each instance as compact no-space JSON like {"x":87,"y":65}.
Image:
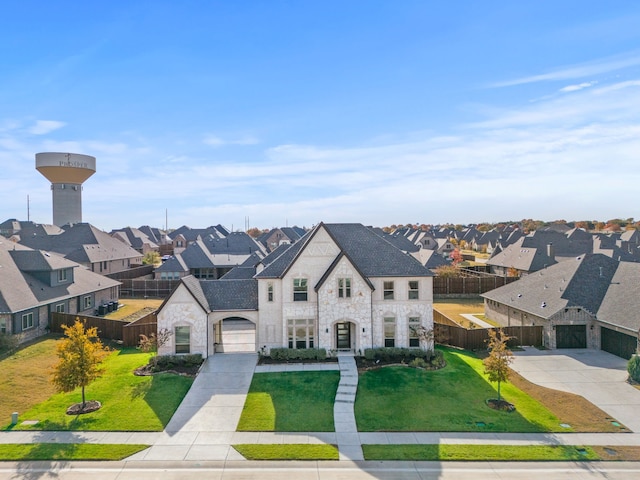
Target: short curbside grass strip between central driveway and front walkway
{"x":301,"y":451}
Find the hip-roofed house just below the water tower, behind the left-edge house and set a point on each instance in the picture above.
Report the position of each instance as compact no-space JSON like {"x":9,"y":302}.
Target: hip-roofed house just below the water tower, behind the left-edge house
{"x":87,"y":245}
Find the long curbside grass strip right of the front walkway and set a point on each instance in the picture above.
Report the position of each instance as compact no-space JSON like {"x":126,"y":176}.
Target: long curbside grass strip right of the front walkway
{"x":519,"y":453}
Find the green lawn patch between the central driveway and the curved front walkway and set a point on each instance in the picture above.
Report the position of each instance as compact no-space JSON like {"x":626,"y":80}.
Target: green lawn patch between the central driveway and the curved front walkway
{"x":290,"y":402}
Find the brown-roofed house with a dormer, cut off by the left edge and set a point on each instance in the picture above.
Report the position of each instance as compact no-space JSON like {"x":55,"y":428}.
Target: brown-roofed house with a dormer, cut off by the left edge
{"x":34,"y":283}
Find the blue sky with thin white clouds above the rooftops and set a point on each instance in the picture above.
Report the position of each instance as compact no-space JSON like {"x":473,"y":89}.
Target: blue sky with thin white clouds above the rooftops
{"x":295,"y":112}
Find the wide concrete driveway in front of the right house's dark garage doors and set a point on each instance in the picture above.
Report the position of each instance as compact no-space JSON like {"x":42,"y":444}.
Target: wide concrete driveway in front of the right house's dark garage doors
{"x":598,"y":376}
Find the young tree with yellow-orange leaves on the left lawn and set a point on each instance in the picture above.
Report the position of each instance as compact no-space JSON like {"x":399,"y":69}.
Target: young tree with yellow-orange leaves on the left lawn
{"x":80,"y":355}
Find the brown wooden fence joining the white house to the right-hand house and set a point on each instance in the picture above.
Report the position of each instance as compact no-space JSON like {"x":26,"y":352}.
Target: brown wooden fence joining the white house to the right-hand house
{"x":476,"y":339}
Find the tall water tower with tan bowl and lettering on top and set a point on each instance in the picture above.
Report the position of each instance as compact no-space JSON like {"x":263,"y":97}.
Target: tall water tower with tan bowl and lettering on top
{"x":66,"y":172}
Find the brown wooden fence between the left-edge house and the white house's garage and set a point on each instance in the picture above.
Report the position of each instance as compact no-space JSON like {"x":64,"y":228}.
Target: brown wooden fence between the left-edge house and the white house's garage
{"x":127,"y":333}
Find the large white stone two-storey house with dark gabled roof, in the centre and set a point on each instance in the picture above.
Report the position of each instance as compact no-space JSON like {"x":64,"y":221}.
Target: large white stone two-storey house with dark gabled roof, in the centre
{"x":341,"y":286}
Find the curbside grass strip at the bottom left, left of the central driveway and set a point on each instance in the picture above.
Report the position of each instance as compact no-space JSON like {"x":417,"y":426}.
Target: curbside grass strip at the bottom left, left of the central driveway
{"x":66,"y":451}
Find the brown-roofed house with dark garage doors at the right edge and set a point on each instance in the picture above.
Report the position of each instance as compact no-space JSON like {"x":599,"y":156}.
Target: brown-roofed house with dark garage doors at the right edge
{"x":591,"y":301}
